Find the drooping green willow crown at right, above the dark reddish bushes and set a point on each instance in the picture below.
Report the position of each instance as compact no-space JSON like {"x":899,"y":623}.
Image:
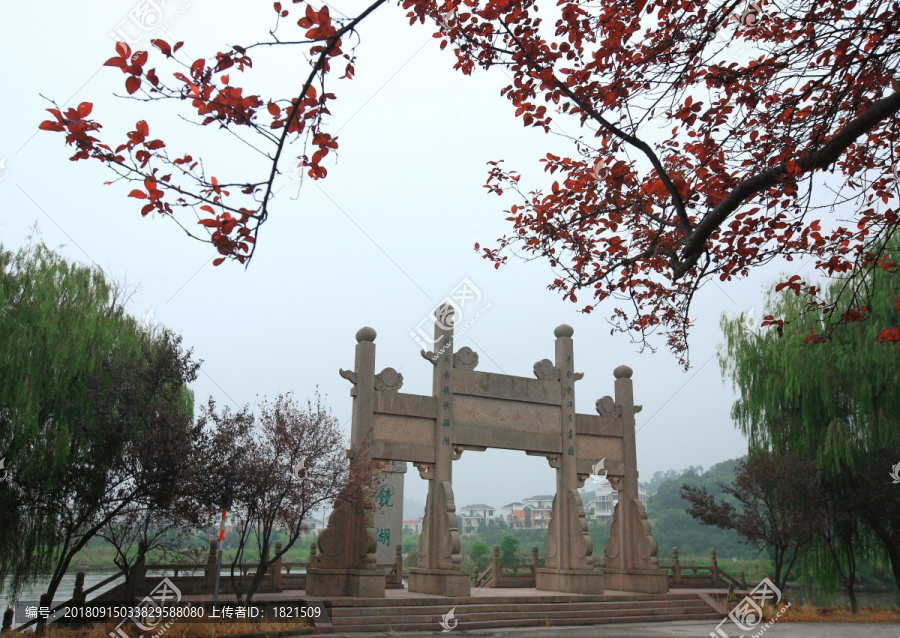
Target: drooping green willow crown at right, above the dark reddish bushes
{"x":835,"y":401}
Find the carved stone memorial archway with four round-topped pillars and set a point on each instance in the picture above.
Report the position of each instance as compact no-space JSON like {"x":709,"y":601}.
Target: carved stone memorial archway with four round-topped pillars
{"x":472,"y":410}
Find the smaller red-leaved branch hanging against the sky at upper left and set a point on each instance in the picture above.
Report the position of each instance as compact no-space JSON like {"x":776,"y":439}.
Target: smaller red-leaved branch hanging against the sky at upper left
{"x":230,"y":213}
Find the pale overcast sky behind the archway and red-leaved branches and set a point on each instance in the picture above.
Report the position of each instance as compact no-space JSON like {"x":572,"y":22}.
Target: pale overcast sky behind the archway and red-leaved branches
{"x":378,"y":243}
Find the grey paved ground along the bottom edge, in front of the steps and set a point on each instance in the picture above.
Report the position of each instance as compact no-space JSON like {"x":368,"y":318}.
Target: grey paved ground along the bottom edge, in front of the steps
{"x":684,"y":629}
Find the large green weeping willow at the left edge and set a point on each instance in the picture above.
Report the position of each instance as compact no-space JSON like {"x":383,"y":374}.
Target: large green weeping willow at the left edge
{"x":94,"y":412}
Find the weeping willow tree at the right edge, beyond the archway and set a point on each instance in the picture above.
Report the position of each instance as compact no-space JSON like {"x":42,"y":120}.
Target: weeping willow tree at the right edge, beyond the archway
{"x":833,"y":400}
